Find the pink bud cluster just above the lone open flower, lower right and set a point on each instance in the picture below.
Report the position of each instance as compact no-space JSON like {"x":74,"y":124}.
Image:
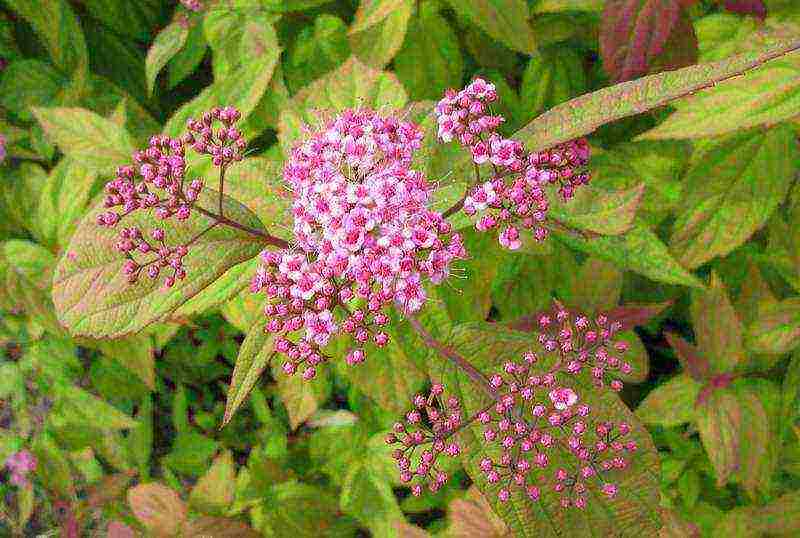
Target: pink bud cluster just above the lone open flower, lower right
{"x":584,"y":343}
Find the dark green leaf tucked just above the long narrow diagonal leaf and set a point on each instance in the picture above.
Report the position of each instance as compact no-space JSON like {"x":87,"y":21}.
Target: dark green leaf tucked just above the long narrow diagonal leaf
{"x":553,"y":76}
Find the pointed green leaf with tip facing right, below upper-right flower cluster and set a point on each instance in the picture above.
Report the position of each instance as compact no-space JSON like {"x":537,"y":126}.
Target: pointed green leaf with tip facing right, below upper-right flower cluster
{"x":639,"y":250}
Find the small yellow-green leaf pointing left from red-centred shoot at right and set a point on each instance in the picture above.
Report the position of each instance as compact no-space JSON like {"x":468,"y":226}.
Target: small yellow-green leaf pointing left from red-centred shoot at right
{"x":671,"y":403}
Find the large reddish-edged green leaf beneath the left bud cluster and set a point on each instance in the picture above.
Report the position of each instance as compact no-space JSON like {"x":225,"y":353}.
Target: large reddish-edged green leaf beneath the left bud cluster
{"x":92,"y":295}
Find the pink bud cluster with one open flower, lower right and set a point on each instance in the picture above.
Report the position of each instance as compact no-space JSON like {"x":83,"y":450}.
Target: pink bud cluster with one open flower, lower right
{"x":536,"y":421}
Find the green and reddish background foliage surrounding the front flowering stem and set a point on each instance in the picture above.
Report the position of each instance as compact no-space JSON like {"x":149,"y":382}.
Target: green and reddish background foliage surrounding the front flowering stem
{"x":126,"y":431}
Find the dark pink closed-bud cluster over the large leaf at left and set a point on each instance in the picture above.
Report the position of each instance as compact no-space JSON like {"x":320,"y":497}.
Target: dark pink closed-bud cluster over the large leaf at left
{"x":157,"y":182}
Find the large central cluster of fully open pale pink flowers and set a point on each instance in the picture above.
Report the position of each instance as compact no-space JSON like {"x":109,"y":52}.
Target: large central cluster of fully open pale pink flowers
{"x":365,"y":236}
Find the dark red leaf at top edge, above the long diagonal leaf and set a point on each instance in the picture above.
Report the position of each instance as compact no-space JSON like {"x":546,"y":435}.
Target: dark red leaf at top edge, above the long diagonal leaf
{"x":643,"y":36}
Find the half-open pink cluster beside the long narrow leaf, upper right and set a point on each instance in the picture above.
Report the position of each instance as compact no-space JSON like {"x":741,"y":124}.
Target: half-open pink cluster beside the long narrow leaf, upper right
{"x":516,"y":195}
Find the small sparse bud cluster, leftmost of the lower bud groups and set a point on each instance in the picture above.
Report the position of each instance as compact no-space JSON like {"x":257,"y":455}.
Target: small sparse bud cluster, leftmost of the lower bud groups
{"x":426,"y":435}
